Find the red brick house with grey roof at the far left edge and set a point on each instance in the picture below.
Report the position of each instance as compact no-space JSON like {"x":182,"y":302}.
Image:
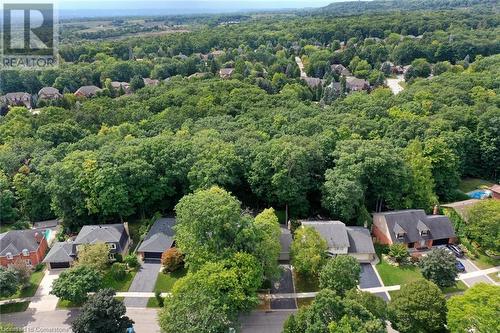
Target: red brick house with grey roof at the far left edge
{"x":29,"y":245}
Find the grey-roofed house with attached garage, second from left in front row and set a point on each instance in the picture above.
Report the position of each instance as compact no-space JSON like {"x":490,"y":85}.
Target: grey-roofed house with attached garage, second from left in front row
{"x":115,"y":236}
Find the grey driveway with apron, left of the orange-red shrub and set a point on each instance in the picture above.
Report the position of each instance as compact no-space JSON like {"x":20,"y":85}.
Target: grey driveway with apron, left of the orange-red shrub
{"x":144,"y":281}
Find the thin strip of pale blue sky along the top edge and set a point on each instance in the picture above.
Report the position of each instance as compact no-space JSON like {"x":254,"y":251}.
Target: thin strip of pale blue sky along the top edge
{"x":75,"y":8}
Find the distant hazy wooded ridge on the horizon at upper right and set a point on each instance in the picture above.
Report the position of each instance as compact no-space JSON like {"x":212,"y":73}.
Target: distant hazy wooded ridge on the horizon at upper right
{"x":357,"y":7}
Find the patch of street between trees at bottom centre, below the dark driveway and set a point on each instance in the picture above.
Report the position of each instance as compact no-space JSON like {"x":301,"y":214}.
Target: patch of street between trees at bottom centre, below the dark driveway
{"x":264,"y":321}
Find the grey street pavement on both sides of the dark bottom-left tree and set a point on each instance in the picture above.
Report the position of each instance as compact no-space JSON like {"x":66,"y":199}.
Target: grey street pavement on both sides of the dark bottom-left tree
{"x":60,"y":320}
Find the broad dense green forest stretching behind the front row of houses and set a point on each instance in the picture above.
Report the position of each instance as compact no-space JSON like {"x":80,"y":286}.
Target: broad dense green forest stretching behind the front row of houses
{"x":264,"y":134}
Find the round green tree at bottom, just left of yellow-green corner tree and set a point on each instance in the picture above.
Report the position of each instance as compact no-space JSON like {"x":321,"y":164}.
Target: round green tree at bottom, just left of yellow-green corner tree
{"x":419,"y":307}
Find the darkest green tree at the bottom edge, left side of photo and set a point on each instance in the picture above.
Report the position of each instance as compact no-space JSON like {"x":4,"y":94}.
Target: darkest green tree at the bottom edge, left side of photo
{"x":102,"y":313}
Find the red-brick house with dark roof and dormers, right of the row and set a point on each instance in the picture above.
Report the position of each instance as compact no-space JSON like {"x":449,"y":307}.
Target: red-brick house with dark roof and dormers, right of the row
{"x":413,"y":228}
